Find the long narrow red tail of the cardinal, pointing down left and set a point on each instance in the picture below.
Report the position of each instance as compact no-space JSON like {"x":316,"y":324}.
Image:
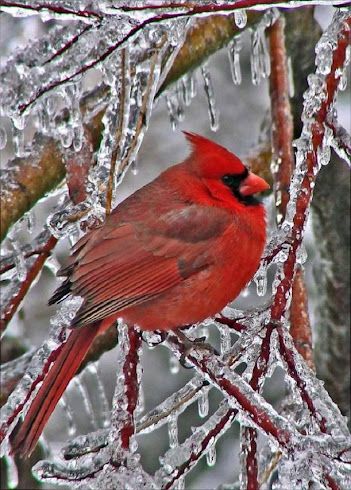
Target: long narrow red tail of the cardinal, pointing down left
{"x":64,"y":368}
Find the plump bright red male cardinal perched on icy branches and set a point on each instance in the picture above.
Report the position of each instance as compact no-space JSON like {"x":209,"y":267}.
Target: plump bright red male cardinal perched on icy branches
{"x":172,"y":254}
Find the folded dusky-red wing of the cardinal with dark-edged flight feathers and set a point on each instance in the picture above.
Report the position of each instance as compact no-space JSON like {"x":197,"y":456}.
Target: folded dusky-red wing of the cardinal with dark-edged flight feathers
{"x":135,"y":262}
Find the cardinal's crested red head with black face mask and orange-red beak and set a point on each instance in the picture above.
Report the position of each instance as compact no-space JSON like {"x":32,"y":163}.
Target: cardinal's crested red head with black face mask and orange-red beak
{"x":223,"y":171}
